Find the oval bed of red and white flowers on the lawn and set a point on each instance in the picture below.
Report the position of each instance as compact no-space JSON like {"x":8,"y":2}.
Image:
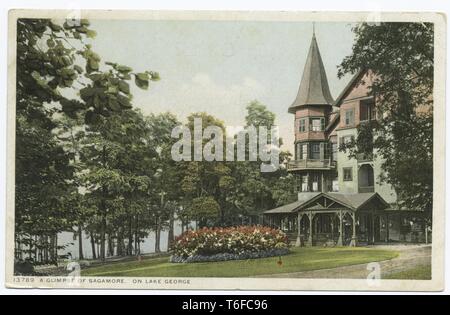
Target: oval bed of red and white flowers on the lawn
{"x":219,"y":244}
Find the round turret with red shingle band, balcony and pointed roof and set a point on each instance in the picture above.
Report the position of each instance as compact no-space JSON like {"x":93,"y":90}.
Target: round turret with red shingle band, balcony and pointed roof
{"x":312,"y":108}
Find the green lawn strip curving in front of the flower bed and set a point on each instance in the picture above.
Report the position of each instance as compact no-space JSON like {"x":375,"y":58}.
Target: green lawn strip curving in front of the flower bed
{"x":300,"y":259}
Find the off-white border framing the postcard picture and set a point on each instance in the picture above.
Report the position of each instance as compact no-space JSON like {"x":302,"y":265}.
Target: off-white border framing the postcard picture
{"x":438,"y":246}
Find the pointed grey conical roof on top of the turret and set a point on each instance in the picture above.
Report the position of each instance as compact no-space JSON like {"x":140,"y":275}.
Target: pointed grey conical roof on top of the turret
{"x":313,"y":88}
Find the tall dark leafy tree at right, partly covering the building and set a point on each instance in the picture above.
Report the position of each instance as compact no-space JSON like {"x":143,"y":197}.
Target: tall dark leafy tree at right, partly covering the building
{"x":400,"y":57}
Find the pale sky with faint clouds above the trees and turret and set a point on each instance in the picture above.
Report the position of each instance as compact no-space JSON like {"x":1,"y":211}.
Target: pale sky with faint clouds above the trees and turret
{"x":221,"y":66}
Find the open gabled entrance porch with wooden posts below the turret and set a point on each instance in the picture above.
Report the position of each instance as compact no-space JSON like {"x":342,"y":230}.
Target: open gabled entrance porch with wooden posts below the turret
{"x":332,"y":219}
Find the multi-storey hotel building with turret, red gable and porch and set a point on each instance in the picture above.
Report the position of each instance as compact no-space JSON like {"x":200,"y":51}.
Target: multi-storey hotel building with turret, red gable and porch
{"x":340,"y":199}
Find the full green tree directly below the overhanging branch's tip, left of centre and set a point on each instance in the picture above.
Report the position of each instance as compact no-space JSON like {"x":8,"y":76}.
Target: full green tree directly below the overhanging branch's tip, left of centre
{"x":115,"y":178}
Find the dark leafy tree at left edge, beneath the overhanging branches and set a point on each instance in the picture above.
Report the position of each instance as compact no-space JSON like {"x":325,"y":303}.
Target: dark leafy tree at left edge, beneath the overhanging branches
{"x":42,"y":168}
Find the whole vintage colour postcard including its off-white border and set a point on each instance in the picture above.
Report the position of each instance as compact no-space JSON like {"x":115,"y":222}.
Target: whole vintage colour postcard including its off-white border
{"x":226,"y":150}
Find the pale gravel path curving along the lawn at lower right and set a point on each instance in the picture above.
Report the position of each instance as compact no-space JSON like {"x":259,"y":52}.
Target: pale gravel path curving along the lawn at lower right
{"x":410,"y":257}
